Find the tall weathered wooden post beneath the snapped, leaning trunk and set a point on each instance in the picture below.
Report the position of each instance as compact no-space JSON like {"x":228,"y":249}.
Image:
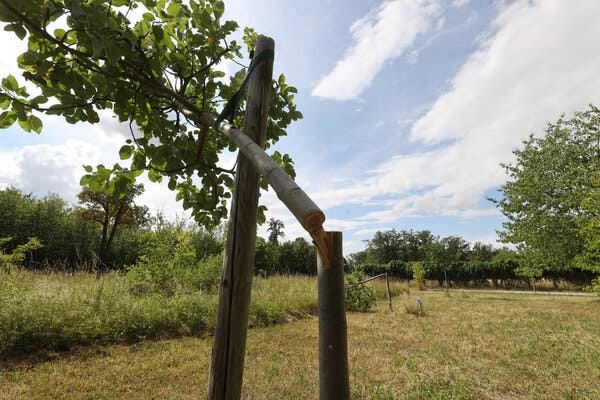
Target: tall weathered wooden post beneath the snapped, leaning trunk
{"x":229,"y":348}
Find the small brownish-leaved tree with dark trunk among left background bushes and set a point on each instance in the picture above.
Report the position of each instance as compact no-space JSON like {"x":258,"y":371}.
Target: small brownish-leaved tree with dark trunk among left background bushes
{"x":111,"y":210}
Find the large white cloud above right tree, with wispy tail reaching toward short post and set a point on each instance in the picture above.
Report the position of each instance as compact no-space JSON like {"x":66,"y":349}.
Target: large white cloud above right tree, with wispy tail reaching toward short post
{"x":535,"y":64}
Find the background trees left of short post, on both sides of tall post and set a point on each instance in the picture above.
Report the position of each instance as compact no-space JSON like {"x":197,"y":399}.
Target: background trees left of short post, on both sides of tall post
{"x":110,"y":232}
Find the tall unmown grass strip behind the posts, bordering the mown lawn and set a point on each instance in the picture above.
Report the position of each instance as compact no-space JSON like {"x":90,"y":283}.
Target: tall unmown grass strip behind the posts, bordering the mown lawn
{"x":56,"y":311}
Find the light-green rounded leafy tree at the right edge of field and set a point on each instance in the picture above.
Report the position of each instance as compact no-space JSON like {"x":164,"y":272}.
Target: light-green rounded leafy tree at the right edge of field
{"x":544,"y":200}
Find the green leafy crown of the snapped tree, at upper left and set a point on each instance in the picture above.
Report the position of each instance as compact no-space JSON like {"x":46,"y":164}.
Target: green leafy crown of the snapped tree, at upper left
{"x":156,"y":71}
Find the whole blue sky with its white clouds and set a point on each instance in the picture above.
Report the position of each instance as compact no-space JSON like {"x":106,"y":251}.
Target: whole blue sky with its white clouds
{"x":409,"y":108}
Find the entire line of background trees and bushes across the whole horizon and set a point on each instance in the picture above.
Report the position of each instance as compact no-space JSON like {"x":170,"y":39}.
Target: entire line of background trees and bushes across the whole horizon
{"x":74,"y":237}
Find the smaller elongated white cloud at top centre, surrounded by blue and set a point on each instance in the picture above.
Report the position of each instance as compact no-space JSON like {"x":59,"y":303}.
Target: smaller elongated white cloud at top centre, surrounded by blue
{"x":383,"y":35}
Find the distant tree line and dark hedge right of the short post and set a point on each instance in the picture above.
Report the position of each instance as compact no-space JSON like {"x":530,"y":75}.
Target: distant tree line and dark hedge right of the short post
{"x":452,"y":259}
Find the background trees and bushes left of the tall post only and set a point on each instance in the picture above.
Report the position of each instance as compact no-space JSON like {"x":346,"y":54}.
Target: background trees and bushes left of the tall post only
{"x":100,"y":233}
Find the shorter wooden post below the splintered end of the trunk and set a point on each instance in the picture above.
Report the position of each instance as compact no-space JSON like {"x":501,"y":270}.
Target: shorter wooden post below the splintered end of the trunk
{"x":333,"y":343}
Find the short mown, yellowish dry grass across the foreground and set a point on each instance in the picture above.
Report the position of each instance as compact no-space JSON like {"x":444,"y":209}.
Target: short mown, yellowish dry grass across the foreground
{"x":467,"y":346}
